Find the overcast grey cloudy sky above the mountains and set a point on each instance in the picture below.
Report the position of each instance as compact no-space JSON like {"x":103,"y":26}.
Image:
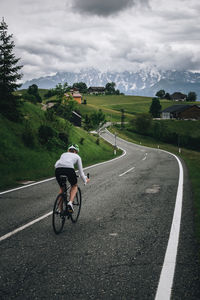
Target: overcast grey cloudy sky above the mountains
{"x":118,"y":35}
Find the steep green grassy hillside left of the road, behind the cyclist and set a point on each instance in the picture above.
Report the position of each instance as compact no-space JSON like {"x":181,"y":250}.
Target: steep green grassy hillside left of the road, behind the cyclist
{"x":36,"y":161}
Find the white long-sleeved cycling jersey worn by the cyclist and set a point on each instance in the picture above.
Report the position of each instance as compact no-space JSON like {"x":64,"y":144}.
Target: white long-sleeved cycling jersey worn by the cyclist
{"x":69,"y":160}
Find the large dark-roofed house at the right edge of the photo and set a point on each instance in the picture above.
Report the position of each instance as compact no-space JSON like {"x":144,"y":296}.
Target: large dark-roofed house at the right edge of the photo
{"x":181,"y":112}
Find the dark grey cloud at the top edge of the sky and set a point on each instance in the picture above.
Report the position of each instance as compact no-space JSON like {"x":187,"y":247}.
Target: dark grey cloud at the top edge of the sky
{"x":104,"y":7}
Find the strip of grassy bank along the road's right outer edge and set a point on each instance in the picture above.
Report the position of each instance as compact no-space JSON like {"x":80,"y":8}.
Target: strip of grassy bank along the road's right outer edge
{"x":191,"y":158}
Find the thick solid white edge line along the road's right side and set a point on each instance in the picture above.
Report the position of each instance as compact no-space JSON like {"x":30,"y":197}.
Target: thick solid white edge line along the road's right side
{"x":167,"y":274}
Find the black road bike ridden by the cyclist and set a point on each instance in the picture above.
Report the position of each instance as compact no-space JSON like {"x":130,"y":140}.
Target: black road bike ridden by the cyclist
{"x":60,"y":209}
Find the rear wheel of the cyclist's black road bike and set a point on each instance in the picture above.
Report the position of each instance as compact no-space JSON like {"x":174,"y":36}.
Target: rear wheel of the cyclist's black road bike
{"x":58,"y":219}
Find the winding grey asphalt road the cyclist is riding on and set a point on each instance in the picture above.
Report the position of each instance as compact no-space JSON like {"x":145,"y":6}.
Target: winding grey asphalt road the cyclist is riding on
{"x":117,"y":248}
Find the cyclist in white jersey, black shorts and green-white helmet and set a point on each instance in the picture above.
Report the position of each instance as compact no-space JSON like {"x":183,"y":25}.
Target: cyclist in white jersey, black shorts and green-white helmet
{"x":65,"y":166}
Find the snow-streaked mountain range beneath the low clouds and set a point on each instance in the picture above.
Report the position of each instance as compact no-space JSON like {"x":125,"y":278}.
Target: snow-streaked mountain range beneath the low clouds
{"x":145,"y":82}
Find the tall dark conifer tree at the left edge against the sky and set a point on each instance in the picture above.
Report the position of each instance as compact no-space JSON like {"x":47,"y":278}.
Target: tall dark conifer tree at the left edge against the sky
{"x":9,"y":103}
